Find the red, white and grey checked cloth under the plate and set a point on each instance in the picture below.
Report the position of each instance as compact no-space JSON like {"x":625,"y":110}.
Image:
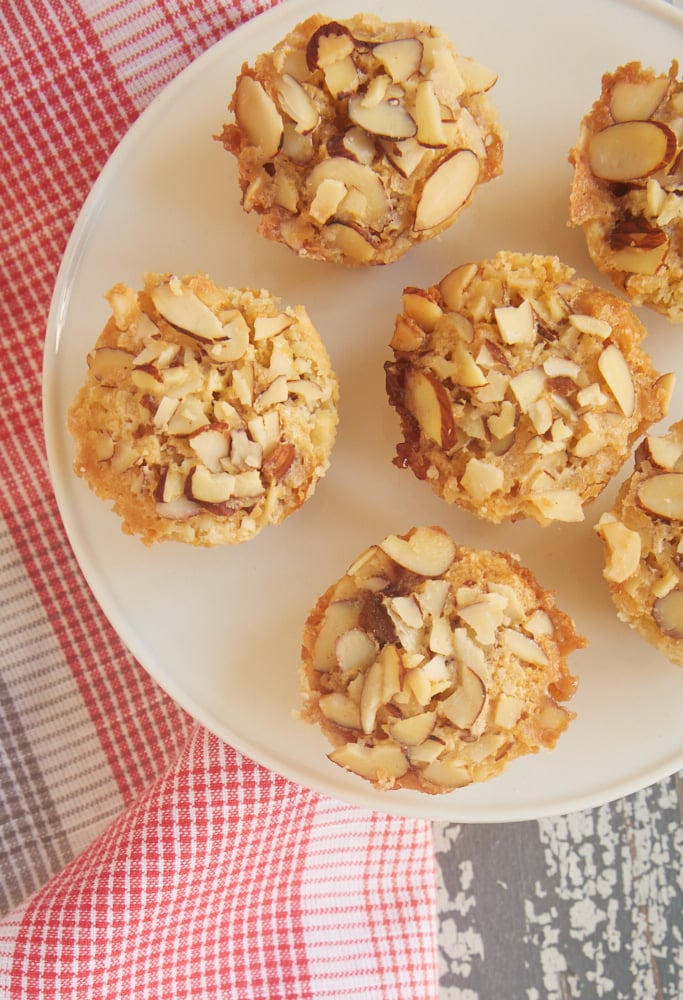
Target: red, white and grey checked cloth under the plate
{"x":139,"y":856}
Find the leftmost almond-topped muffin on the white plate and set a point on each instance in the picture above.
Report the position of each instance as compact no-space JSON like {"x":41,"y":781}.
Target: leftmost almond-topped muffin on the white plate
{"x":207,"y":414}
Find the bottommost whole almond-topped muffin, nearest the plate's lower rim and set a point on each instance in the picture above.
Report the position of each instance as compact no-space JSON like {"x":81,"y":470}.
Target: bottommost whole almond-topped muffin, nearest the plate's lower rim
{"x":430,"y":665}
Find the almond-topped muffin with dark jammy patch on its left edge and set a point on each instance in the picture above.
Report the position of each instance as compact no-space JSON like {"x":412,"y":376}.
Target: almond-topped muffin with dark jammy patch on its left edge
{"x":520,"y":387}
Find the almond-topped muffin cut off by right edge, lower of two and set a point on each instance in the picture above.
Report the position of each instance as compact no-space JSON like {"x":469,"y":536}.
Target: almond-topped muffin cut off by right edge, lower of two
{"x":643,"y":548}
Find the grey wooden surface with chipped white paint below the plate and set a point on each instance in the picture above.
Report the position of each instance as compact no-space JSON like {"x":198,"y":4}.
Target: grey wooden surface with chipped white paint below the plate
{"x":587,"y":905}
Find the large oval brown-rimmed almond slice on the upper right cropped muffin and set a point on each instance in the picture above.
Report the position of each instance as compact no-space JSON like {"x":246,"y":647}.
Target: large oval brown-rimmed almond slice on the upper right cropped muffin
{"x":631,"y":150}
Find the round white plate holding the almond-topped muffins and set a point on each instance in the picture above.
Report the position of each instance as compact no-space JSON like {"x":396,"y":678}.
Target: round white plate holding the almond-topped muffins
{"x":220,"y":629}
